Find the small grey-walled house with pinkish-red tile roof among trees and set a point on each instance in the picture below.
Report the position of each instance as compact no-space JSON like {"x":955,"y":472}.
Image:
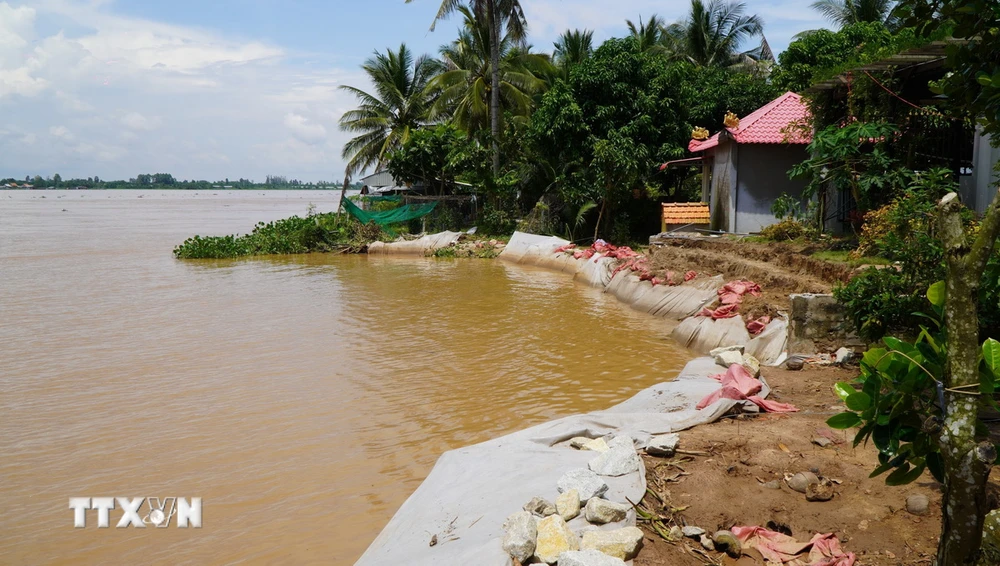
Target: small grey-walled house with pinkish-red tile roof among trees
{"x":745,"y":166}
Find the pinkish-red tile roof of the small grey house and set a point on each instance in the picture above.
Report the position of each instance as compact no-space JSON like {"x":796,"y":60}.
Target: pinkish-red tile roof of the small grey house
{"x":768,"y":124}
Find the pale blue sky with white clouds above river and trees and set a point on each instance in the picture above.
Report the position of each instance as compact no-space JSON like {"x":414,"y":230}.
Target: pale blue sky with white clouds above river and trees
{"x":234,"y":88}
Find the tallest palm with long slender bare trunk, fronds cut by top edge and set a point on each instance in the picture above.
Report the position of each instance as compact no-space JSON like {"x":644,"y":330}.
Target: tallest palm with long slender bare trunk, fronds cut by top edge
{"x":497,"y":14}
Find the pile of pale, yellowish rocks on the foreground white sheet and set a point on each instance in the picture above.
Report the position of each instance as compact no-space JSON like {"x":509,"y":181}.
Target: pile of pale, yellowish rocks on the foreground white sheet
{"x":540,"y":533}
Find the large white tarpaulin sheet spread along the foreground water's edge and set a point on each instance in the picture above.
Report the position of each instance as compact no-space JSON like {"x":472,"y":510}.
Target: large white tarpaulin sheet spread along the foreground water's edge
{"x":472,"y":490}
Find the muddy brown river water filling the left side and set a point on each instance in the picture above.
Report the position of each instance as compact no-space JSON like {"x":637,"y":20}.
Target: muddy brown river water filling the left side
{"x":301,"y":397}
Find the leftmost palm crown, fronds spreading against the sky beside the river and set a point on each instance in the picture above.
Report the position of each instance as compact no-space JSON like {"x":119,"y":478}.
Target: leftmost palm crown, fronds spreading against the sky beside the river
{"x":385,"y":119}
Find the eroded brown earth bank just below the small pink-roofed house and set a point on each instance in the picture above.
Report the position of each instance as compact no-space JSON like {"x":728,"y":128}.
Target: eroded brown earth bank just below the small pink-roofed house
{"x":779,"y":268}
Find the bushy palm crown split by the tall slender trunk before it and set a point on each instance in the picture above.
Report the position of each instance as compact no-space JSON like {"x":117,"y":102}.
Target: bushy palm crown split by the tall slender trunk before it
{"x":464,"y":89}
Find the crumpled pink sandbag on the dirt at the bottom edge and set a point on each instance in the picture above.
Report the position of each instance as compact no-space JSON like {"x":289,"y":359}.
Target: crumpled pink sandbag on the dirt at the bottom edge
{"x":823,"y":549}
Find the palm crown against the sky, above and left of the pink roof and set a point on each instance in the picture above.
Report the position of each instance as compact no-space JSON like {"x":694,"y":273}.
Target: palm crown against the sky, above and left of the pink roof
{"x":713,"y":34}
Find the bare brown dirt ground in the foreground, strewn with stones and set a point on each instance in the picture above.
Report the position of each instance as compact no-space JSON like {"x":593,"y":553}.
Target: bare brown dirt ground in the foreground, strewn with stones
{"x":723,"y":486}
